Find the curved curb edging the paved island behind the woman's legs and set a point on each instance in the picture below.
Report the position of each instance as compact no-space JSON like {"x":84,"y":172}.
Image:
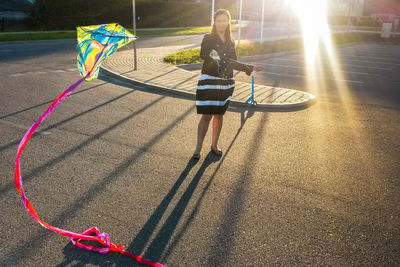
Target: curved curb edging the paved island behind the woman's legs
{"x":191,"y":96}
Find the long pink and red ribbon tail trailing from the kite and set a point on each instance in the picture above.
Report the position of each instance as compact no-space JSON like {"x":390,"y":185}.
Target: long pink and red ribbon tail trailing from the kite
{"x":102,"y":238}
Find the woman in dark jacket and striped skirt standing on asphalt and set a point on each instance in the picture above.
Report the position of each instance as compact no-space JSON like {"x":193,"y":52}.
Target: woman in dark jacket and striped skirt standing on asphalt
{"x":216,"y":84}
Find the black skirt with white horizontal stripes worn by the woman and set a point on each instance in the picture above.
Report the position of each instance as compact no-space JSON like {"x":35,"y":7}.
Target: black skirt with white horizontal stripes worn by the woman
{"x":213,"y":94}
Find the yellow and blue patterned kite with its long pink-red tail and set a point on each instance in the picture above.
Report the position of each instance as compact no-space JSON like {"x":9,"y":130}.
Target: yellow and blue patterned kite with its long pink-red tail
{"x":95,"y":43}
